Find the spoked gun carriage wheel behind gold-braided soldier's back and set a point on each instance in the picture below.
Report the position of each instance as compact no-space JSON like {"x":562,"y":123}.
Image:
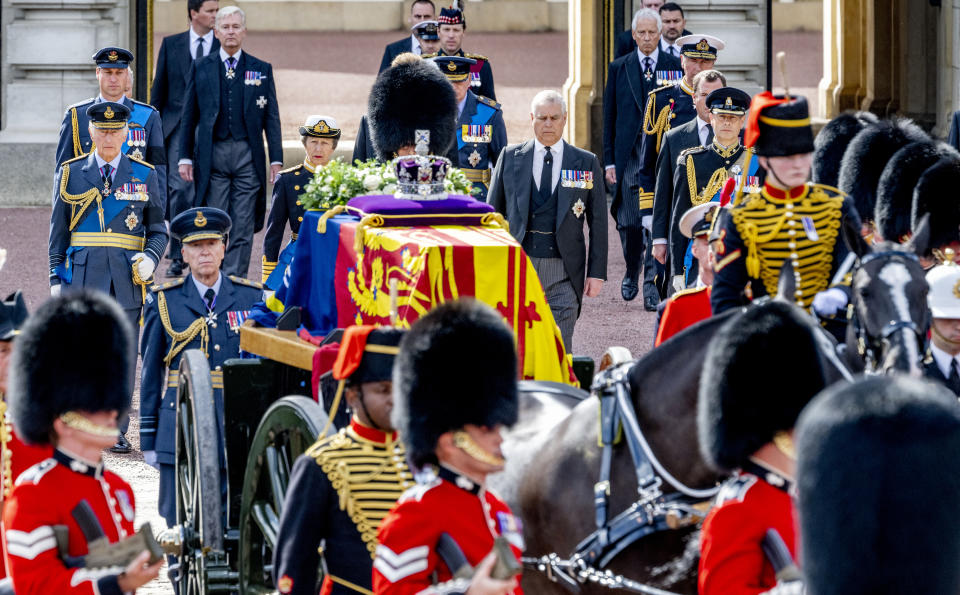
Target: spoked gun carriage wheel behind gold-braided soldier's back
{"x":287,"y":429}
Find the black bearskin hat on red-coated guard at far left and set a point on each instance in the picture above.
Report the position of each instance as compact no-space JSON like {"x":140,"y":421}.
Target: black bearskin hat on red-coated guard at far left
{"x":73,"y":354}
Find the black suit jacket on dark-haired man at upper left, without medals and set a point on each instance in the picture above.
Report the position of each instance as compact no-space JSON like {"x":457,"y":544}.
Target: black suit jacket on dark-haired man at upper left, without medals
{"x":170,"y":79}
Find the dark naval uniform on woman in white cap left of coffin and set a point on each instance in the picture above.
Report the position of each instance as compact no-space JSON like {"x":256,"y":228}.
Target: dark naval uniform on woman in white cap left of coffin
{"x":286,"y":207}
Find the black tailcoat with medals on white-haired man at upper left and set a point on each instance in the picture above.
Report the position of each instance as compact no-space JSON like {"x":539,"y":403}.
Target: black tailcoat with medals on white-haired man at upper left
{"x":260,"y":115}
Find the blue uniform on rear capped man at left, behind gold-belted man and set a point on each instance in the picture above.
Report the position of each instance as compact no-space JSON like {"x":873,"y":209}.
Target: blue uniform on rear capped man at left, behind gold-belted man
{"x":144,"y":141}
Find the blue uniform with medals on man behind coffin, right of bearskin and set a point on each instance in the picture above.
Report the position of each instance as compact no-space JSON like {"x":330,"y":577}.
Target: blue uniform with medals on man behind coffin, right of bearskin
{"x":481,"y":136}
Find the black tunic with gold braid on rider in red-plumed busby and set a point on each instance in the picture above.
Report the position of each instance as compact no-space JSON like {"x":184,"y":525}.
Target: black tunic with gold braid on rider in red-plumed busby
{"x":769,"y":226}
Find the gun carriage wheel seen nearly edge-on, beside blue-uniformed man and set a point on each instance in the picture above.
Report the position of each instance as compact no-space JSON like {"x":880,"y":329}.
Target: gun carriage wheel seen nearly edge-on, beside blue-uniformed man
{"x":199,"y":511}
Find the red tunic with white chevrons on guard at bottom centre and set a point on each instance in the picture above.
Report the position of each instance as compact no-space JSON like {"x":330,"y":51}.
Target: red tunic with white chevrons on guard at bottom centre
{"x":406,"y":557}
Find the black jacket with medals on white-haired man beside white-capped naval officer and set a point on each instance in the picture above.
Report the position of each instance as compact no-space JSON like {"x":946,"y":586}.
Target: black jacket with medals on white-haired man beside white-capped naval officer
{"x":624,"y":99}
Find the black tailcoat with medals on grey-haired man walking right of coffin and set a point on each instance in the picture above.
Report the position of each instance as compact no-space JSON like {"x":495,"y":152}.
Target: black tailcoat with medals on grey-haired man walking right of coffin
{"x":510,"y":195}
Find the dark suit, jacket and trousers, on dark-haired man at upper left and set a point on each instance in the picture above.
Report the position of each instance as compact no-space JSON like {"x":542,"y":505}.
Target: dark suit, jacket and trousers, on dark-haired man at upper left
{"x":169,"y":87}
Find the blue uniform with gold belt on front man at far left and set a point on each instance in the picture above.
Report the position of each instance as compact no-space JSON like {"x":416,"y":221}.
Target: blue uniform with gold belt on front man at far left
{"x":93,"y":237}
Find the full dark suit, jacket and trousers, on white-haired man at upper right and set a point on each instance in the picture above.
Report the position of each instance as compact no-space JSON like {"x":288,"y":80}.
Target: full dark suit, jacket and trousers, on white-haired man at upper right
{"x":624,"y":100}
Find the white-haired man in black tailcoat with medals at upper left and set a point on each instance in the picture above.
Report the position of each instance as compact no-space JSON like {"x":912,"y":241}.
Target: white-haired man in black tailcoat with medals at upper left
{"x":230,"y":103}
